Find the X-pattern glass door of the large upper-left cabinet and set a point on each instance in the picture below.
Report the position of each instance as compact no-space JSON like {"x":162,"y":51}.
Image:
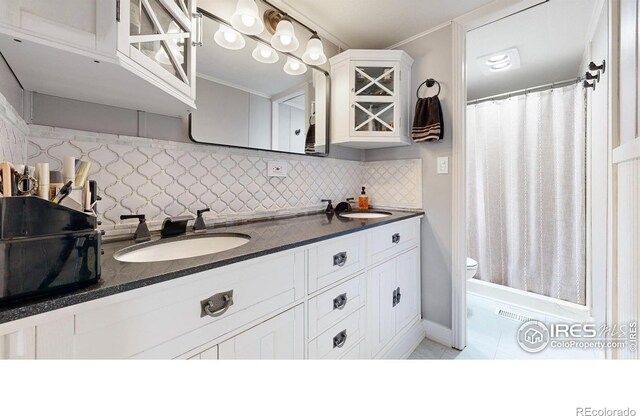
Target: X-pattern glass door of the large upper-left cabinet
{"x":161,"y":30}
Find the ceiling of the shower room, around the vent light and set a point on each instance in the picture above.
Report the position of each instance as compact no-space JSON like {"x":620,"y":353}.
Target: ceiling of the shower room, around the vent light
{"x":550,"y":38}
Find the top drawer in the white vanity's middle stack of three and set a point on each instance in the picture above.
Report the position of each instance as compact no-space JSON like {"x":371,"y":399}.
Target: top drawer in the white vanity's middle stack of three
{"x":335,"y":259}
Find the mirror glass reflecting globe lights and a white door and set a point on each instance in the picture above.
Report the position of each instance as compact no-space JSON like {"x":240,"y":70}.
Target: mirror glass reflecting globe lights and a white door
{"x":250,"y":95}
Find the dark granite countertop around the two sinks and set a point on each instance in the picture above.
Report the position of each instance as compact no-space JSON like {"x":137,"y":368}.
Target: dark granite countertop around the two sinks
{"x":267,"y":237}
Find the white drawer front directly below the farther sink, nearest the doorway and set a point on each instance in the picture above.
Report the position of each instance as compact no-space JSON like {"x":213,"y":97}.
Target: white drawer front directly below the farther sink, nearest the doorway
{"x":388,"y":240}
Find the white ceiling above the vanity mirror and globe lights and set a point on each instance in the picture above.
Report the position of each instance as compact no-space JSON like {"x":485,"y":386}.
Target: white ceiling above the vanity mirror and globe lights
{"x":376,"y":24}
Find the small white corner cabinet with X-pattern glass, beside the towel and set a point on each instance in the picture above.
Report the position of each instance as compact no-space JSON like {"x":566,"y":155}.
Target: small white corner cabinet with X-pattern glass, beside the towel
{"x":370,"y":98}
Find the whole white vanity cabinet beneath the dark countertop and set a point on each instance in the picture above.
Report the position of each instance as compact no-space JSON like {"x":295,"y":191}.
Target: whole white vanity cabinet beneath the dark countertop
{"x":348,"y":297}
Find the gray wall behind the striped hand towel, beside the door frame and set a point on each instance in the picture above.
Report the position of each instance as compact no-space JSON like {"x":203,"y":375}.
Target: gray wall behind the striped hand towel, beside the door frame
{"x":433,"y":59}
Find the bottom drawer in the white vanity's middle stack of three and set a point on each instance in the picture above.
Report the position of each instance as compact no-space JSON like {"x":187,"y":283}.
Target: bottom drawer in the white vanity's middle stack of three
{"x":340,"y":338}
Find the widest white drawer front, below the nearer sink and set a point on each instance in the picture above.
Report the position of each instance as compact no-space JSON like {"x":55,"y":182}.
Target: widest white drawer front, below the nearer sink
{"x":135,"y":325}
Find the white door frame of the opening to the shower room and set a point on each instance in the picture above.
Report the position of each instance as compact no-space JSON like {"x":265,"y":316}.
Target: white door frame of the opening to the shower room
{"x":497,"y":10}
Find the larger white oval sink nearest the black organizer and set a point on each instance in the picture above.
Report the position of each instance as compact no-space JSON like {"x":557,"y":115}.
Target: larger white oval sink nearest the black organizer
{"x":182,"y":248}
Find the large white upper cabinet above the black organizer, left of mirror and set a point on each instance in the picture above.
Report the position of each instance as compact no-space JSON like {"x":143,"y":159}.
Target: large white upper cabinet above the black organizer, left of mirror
{"x":137,"y":54}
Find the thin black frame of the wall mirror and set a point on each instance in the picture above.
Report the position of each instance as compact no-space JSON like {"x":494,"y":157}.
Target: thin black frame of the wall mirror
{"x":327,"y":75}
